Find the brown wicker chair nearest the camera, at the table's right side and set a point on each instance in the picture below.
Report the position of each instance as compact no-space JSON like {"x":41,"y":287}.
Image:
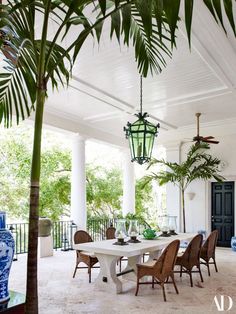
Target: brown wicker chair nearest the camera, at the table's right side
{"x":160,"y":269}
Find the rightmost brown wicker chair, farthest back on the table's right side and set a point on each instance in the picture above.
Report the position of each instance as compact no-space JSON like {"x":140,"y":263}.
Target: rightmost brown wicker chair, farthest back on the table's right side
{"x":208,"y":250}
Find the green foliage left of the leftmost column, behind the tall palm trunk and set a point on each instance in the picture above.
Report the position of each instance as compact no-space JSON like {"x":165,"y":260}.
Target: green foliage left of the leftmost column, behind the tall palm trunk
{"x":15,"y":166}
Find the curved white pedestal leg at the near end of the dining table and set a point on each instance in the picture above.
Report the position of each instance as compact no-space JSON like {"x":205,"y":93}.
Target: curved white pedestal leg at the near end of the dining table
{"x":107,"y":277}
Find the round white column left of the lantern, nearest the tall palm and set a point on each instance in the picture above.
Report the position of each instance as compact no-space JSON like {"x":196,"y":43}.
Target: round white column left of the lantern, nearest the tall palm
{"x":78,"y":183}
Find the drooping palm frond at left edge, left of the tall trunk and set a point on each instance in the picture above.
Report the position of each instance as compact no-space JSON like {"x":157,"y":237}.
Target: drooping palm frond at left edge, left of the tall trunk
{"x":18,"y":85}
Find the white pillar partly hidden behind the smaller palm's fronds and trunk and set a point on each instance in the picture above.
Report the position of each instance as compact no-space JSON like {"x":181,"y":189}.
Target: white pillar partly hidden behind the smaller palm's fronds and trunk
{"x":173,"y":200}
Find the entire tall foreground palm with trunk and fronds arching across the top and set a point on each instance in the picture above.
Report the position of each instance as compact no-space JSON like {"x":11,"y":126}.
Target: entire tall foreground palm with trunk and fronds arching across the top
{"x":33,"y":61}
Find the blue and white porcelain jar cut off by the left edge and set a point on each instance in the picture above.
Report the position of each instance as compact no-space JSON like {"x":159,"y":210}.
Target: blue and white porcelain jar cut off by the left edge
{"x":7,"y":246}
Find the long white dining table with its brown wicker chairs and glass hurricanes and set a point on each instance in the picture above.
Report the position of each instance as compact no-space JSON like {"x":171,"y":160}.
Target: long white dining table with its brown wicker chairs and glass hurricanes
{"x":152,"y":256}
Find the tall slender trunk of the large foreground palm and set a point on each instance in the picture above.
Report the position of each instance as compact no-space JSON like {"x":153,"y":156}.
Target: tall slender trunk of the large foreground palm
{"x":32,"y":276}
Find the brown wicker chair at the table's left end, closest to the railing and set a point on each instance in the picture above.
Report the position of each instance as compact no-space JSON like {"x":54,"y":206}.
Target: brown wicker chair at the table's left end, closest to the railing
{"x":87,"y":258}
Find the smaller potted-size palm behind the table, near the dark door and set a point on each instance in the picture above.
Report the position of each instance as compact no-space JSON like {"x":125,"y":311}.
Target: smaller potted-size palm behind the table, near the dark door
{"x":198,"y":165}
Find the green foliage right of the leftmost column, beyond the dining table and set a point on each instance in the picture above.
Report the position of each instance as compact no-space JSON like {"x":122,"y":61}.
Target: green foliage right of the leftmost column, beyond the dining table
{"x":104,"y":193}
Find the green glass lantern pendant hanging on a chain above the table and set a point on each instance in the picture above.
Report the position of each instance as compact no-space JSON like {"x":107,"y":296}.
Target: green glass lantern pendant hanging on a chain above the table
{"x":141,"y":135}
